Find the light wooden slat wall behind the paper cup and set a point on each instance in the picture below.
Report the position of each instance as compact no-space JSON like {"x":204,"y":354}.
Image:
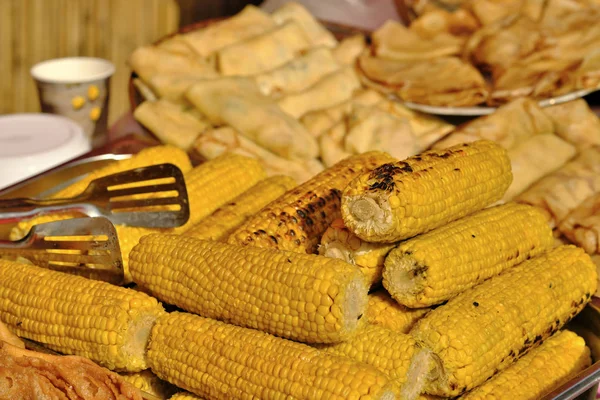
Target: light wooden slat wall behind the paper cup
{"x":37,"y":30}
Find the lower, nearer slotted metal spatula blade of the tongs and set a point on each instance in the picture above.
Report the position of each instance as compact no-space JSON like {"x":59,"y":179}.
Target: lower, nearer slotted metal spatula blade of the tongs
{"x":81,"y":246}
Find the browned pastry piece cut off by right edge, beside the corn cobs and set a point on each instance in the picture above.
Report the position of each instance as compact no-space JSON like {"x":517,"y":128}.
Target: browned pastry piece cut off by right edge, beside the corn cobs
{"x":582,"y":225}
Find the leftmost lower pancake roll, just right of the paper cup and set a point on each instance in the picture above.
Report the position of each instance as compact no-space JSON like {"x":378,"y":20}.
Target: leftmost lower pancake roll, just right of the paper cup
{"x":171,"y":123}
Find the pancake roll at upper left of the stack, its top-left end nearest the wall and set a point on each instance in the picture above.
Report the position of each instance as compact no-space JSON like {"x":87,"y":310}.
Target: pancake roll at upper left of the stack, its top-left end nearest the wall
{"x":249,"y":22}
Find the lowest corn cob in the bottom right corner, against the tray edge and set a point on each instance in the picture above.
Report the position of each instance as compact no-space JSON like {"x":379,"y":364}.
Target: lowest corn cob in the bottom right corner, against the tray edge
{"x":555,"y":361}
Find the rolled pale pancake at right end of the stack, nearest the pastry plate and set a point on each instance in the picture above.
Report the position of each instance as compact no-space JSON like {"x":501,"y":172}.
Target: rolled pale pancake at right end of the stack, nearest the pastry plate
{"x":330,"y":90}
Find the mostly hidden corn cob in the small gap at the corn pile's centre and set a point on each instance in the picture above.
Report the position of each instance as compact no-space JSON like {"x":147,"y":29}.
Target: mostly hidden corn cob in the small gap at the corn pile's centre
{"x":384,"y":311}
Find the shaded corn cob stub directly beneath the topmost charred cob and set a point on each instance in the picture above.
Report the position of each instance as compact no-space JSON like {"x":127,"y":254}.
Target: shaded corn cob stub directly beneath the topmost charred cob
{"x":339,"y":242}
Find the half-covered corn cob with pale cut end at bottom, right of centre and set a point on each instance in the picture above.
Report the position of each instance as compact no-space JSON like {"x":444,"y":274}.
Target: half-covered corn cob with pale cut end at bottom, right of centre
{"x":389,"y":351}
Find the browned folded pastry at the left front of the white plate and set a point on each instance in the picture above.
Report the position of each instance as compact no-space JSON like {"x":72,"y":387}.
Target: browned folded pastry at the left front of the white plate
{"x":443,"y":81}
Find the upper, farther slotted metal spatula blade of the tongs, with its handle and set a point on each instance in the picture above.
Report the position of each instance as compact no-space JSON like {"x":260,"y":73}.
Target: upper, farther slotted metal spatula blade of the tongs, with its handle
{"x":158,"y":199}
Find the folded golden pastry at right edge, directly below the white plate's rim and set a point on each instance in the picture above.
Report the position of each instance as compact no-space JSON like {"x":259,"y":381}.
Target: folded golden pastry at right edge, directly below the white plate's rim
{"x":575,"y":122}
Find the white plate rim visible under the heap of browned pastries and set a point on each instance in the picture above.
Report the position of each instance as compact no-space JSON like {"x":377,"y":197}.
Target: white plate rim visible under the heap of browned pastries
{"x":481,"y":110}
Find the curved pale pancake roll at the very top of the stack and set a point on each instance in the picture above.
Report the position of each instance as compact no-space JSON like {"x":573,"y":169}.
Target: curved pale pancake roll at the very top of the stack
{"x":316,"y":33}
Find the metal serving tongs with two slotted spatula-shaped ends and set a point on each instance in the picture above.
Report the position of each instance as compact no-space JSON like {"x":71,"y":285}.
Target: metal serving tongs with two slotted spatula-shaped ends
{"x":154,"y":196}
